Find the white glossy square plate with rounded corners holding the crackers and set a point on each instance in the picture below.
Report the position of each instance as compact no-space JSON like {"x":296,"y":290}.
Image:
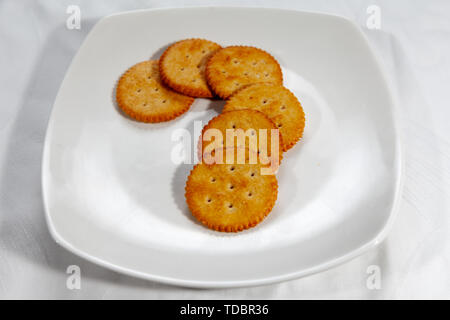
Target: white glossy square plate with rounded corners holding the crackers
{"x":113,"y":195}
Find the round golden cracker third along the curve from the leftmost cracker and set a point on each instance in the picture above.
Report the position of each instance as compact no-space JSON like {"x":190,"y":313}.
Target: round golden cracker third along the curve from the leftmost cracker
{"x":234,"y":67}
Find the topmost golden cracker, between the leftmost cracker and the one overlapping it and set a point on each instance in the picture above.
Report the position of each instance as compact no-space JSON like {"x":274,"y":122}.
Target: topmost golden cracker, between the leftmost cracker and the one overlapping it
{"x":182,"y":66}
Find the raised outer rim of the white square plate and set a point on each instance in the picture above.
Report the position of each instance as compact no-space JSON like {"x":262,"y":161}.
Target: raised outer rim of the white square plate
{"x":333,"y":262}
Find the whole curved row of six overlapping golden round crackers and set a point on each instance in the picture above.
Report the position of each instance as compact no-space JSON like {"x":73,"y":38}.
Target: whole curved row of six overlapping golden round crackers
{"x":224,"y":195}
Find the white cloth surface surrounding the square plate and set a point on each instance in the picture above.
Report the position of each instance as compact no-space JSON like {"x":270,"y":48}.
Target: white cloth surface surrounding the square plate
{"x":414,"y":44}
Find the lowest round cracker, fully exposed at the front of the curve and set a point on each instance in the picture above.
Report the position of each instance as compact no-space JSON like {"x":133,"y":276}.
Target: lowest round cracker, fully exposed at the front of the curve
{"x":230,"y":197}
